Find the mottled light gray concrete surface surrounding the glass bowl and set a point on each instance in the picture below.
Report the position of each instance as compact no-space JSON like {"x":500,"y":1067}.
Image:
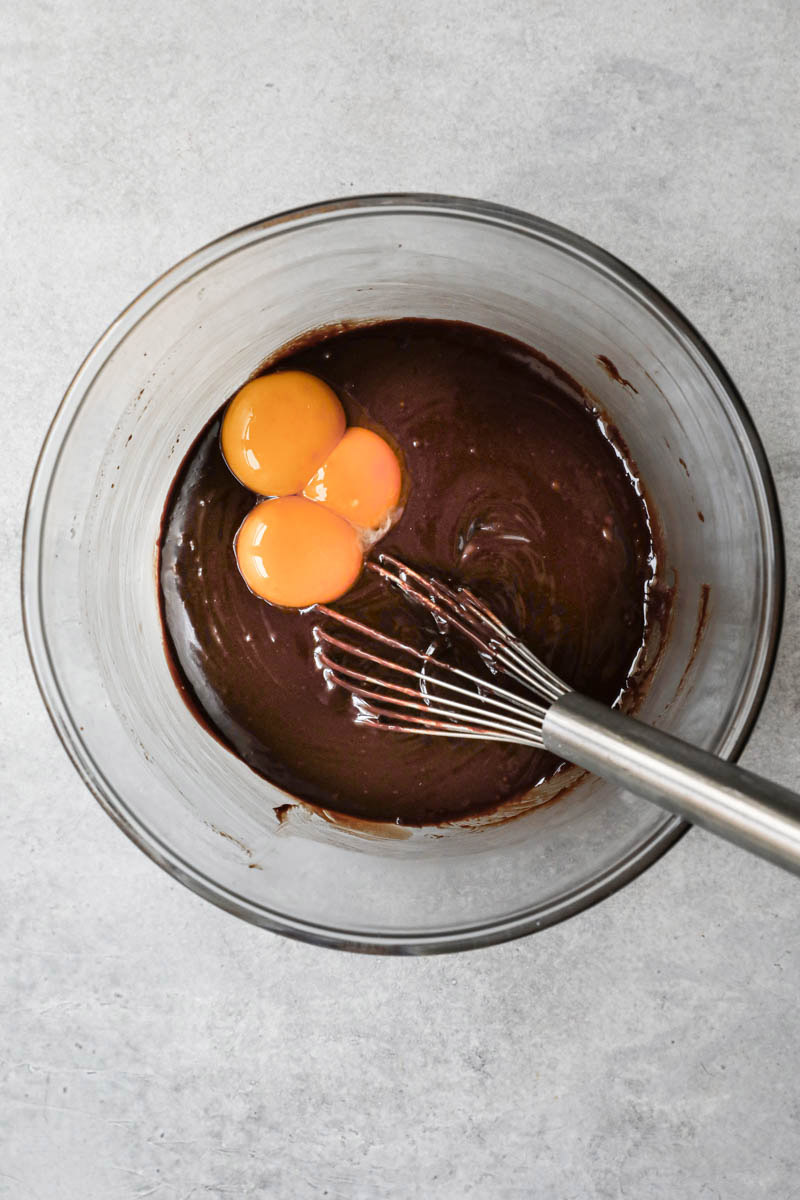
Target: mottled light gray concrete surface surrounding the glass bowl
{"x":152,"y":1046}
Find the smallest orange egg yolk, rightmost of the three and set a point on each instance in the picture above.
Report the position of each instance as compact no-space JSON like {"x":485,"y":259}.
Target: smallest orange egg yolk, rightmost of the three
{"x":362,"y":479}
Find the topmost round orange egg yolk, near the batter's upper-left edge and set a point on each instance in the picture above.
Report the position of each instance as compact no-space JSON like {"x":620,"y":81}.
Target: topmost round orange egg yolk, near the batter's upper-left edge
{"x":279,"y":429}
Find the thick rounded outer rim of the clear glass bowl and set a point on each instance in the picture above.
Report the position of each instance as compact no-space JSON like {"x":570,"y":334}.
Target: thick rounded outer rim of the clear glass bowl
{"x":369,"y":941}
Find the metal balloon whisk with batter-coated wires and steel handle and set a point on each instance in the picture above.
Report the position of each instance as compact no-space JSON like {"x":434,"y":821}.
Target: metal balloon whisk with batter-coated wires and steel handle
{"x":399,"y":688}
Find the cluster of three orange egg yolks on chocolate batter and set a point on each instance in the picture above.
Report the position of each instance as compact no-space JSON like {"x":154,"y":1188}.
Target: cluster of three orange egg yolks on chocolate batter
{"x":285,"y":435}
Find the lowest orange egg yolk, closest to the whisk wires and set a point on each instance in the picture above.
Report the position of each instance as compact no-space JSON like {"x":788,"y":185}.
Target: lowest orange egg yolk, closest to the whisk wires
{"x":297,"y":554}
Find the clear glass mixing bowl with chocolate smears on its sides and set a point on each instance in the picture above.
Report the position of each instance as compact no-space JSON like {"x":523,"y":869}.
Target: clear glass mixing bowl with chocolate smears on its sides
{"x":89,"y":565}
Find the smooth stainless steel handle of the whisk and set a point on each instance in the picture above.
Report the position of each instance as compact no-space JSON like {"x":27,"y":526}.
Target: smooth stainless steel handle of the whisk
{"x":729,"y":801}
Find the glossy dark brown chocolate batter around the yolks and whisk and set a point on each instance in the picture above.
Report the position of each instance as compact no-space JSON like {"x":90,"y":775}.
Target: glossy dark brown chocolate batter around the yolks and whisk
{"x":514,"y":489}
